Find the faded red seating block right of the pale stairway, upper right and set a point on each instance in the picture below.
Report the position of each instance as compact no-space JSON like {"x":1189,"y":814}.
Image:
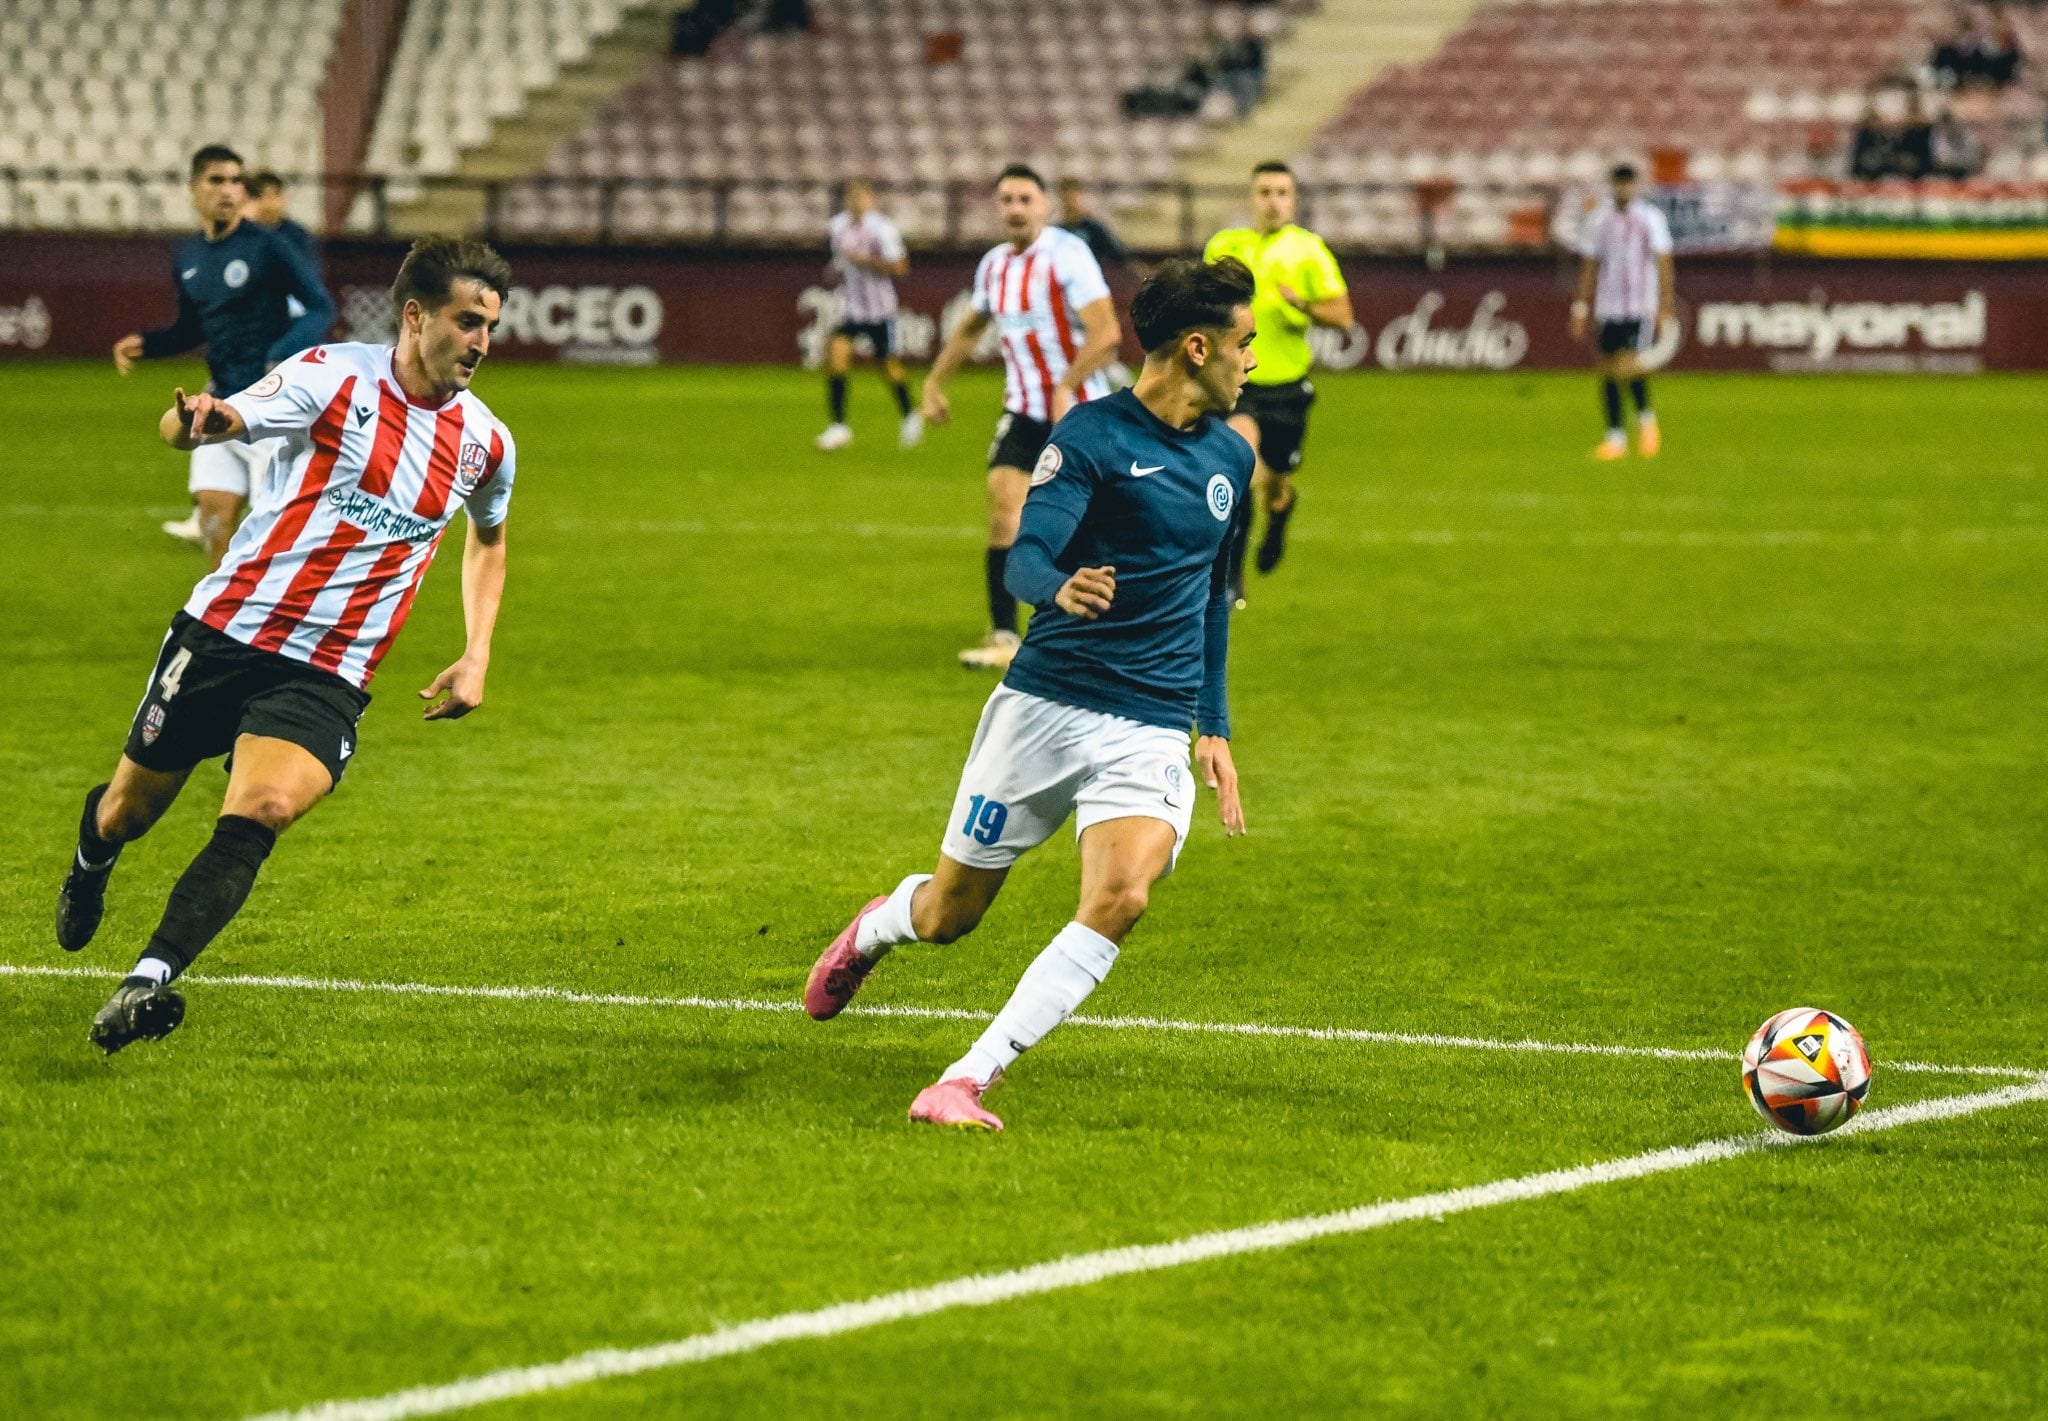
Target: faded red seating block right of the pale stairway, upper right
{"x":1535,"y":93}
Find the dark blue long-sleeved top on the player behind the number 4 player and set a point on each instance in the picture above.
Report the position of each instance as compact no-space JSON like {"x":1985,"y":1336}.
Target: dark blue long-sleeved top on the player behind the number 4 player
{"x":232,"y":302}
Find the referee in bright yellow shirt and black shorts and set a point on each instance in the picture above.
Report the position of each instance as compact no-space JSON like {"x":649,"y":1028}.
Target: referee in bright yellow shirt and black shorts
{"x":1299,"y":288}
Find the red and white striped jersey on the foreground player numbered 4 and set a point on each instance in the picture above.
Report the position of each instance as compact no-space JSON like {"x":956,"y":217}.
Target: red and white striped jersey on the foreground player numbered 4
{"x":341,"y":533}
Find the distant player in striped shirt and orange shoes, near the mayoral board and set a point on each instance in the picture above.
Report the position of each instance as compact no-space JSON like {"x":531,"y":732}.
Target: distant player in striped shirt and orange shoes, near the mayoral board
{"x":1629,"y":290}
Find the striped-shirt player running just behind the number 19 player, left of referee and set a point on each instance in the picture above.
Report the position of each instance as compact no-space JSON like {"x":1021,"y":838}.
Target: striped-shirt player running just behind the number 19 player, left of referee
{"x":1052,"y":310}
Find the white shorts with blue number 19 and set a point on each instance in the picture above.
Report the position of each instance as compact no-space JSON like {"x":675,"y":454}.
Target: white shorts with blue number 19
{"x":1037,"y":761}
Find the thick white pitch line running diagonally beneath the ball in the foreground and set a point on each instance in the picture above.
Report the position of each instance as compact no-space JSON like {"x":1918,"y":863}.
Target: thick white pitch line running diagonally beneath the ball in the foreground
{"x":1080,"y":1271}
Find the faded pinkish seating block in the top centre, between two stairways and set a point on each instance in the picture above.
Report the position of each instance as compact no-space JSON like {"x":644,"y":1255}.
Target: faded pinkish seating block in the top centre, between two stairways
{"x":873,"y":89}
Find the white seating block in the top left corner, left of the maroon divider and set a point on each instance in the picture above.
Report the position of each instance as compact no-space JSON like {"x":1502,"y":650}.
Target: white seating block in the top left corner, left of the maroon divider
{"x":97,"y":89}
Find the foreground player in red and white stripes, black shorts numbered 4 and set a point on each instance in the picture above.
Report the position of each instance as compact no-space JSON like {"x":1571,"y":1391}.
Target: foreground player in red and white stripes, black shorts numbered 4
{"x":271,"y":654}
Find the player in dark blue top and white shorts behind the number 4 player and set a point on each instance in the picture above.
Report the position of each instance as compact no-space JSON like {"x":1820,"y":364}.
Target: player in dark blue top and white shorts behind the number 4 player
{"x":237,"y":288}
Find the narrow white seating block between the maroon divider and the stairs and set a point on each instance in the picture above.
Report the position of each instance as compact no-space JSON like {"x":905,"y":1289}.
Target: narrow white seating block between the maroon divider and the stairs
{"x":462,"y":67}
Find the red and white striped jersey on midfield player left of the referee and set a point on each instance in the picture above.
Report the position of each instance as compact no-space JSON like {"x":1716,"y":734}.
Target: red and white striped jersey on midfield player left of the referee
{"x":1035,"y":298}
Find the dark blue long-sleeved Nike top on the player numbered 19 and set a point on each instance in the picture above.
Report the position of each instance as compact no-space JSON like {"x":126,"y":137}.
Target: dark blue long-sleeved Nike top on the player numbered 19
{"x":1121,"y":488}
